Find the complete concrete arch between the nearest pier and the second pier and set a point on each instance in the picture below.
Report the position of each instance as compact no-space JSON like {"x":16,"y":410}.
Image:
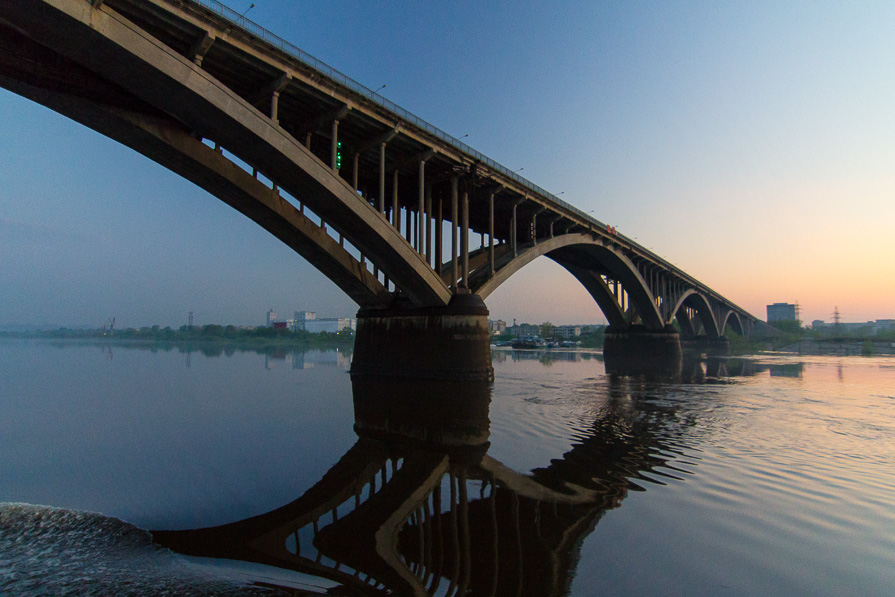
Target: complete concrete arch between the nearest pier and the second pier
{"x":587,"y":259}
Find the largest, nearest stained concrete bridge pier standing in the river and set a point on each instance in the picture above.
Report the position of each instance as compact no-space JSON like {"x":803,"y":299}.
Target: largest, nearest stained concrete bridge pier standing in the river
{"x":450,"y":342}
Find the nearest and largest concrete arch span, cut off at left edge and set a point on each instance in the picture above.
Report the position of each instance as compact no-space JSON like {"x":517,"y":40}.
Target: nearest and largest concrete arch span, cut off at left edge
{"x":159,"y":103}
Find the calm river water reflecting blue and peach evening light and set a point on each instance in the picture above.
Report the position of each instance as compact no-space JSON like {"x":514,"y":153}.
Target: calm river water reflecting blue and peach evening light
{"x":766,"y":475}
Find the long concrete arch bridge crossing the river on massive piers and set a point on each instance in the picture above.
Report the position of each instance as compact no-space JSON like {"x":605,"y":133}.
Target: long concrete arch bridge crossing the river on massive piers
{"x":414,"y":225}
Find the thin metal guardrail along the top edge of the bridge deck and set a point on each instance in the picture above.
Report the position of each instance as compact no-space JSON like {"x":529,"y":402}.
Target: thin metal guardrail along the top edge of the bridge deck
{"x":298,"y":54}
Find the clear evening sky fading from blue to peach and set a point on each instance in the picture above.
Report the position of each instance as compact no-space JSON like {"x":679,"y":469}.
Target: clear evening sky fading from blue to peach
{"x":751,"y":144}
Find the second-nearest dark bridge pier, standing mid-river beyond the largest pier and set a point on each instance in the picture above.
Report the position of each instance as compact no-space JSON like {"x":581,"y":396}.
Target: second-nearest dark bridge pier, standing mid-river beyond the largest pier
{"x":637,"y":350}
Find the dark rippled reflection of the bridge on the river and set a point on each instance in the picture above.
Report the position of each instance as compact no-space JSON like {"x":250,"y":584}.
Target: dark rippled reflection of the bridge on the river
{"x":417,"y":506}
